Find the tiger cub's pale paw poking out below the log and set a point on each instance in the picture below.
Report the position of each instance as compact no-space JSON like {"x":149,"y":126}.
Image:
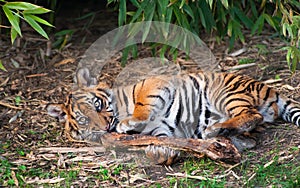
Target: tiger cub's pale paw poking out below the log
{"x":162,"y":155}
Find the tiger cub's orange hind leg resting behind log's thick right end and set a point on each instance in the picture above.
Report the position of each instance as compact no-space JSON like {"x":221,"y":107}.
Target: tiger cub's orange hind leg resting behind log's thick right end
{"x":246,"y":121}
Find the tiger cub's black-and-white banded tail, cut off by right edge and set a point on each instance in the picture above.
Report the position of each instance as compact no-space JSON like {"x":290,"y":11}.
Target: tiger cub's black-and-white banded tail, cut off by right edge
{"x":289,"y":110}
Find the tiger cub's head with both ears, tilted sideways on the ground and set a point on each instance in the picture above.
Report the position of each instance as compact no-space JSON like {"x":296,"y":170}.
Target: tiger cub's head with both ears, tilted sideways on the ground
{"x":88,"y":111}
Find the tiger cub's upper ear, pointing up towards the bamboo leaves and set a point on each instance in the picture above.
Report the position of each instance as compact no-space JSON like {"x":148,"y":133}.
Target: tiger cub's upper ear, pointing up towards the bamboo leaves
{"x":84,"y":78}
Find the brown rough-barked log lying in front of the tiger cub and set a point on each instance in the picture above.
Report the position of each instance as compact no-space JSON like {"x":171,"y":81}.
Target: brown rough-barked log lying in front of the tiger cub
{"x":219,"y":148}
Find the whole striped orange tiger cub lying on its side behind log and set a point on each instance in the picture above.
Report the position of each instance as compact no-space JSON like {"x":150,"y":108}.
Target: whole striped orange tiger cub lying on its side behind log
{"x":201,"y":105}
